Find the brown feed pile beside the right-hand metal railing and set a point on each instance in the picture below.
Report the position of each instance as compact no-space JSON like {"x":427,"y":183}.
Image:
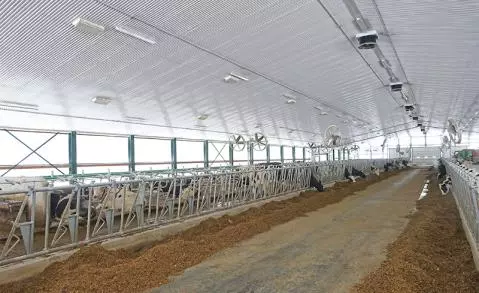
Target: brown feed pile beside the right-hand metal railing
{"x":431,"y":255}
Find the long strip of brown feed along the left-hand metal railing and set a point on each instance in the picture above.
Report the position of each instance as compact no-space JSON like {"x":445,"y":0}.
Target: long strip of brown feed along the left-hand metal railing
{"x":94,"y":269}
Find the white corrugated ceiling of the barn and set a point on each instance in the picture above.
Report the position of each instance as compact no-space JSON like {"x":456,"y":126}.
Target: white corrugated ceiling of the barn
{"x":282,"y":47}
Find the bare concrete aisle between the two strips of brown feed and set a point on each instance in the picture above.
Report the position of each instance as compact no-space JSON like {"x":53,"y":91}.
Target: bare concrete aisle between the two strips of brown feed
{"x":328,"y":251}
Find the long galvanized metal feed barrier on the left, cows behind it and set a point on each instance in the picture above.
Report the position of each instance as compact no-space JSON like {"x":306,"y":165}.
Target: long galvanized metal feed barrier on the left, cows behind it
{"x":118,"y":208}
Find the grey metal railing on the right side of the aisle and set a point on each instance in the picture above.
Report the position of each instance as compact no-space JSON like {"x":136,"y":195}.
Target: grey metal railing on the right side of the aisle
{"x":465,"y":188}
